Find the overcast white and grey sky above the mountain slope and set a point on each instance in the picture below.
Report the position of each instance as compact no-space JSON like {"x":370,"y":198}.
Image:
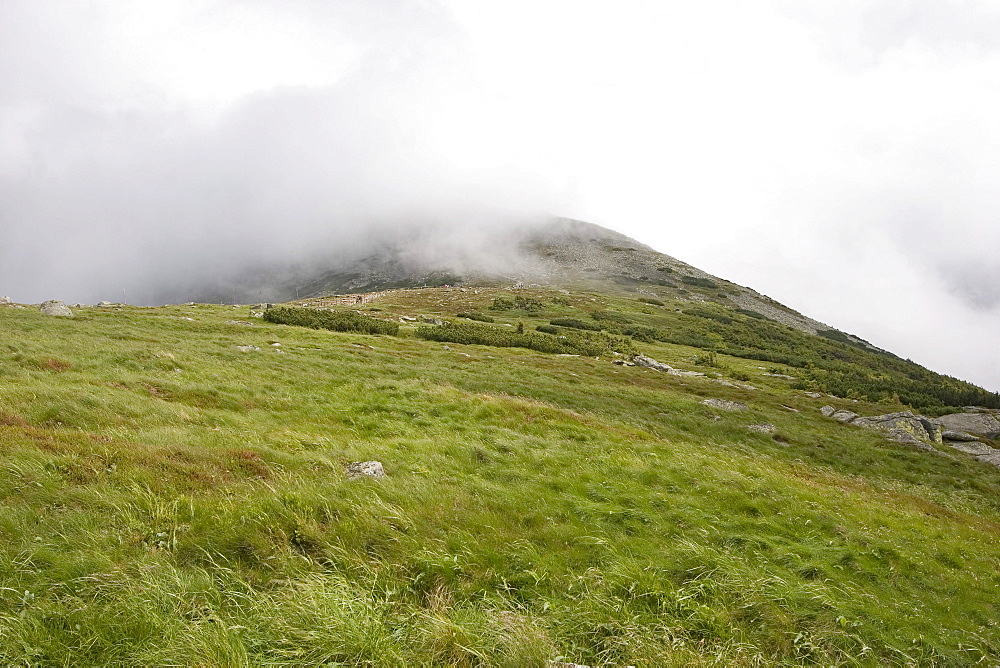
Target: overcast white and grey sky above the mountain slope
{"x":841,"y":157}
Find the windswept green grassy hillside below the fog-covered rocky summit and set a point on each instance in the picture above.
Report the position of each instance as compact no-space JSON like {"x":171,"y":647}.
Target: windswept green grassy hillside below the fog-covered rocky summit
{"x":169,"y":499}
